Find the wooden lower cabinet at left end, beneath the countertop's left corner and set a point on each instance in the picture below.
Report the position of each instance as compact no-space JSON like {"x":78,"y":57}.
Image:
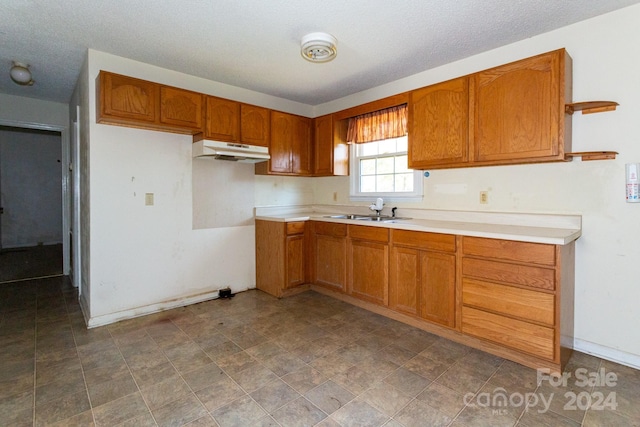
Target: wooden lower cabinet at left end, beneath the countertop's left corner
{"x":280,"y":256}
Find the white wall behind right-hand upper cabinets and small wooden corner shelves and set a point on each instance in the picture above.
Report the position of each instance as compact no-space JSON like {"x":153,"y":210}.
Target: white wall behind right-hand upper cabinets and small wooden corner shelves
{"x":606,"y":66}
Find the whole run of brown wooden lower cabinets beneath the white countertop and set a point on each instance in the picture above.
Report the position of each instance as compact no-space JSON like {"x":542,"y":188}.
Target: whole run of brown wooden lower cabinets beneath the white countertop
{"x":512,"y":299}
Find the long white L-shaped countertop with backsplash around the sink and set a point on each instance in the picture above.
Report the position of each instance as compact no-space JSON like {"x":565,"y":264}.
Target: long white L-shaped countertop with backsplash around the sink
{"x":525,"y":227}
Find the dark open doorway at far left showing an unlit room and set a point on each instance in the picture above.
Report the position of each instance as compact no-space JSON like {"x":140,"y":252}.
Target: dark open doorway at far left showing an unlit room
{"x":31,"y":203}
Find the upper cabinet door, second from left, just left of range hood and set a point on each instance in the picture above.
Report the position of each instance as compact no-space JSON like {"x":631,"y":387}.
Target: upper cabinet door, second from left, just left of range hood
{"x":181,"y":108}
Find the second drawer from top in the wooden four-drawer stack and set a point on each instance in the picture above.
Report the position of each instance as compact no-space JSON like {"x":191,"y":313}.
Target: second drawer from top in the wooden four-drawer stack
{"x":535,"y":277}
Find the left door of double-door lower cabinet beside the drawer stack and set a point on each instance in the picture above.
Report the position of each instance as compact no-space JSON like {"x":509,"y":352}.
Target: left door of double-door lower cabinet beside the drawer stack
{"x":404,"y":281}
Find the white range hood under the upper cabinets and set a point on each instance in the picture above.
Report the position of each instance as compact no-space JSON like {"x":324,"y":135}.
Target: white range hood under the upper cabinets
{"x":232,"y":151}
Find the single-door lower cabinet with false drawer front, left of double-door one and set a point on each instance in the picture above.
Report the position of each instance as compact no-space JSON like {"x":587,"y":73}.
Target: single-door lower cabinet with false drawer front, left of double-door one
{"x":368,"y":264}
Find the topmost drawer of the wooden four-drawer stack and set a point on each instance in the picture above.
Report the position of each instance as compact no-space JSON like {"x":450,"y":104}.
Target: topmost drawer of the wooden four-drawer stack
{"x":534,"y":253}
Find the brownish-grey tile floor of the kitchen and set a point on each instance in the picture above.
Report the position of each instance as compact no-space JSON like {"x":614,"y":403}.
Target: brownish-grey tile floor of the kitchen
{"x":253,"y":360}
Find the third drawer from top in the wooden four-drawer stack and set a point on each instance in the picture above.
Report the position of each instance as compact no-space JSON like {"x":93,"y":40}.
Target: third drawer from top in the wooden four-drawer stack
{"x":516,"y":302}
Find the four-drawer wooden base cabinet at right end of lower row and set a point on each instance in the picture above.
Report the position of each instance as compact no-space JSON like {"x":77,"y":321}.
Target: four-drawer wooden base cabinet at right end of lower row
{"x":519,"y":295}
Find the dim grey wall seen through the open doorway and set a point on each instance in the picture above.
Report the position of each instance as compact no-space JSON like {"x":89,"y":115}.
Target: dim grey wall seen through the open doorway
{"x":31,"y":184}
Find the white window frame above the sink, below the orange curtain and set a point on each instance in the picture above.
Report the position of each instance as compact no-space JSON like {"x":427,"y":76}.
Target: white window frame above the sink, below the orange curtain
{"x":355,"y":194}
